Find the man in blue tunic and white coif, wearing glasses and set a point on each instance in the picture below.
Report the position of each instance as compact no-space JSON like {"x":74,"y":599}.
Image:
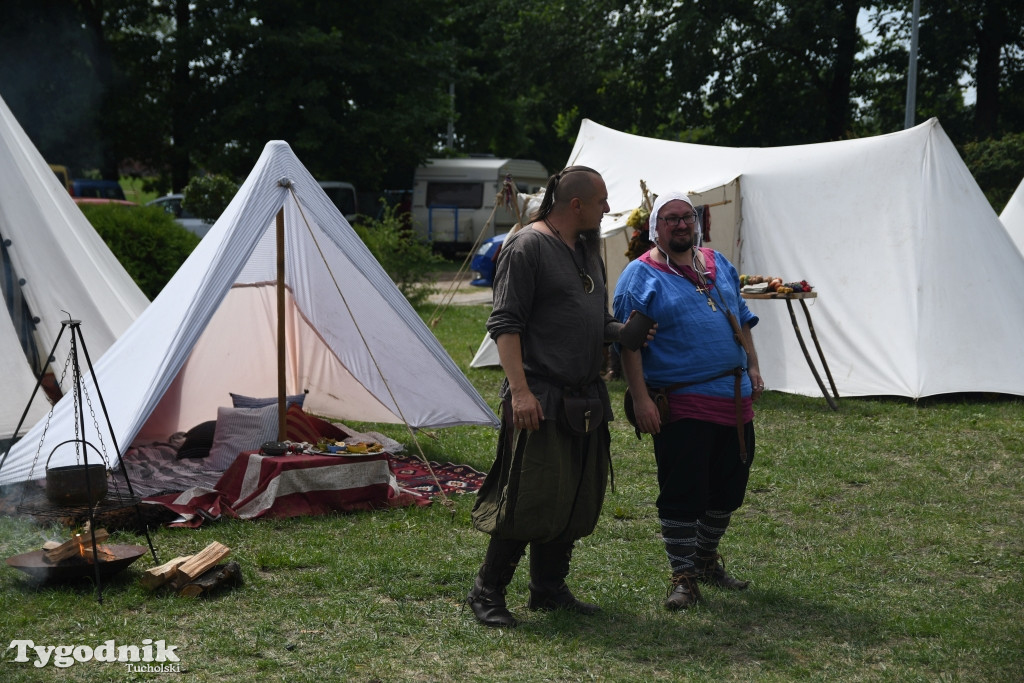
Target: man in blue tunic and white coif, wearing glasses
{"x":705,"y":364}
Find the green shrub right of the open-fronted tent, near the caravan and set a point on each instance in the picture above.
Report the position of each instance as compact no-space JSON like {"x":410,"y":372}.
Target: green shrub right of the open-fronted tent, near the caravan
{"x":407,"y":261}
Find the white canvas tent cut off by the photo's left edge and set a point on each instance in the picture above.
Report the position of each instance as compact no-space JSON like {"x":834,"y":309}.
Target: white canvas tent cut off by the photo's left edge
{"x":55,"y":263}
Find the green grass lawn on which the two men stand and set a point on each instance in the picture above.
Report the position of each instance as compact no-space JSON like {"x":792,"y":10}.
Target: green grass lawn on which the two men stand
{"x":884,"y":543}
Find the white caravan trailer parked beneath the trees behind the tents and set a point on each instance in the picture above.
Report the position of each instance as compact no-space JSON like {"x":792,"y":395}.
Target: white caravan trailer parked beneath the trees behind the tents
{"x":454,"y":198}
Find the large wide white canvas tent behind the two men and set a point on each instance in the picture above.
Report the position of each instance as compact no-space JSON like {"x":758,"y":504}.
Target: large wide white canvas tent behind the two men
{"x":918,"y":280}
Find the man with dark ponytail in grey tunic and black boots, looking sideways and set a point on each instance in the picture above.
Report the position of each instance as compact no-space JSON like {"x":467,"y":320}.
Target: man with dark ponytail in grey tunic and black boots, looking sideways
{"x":550,"y":323}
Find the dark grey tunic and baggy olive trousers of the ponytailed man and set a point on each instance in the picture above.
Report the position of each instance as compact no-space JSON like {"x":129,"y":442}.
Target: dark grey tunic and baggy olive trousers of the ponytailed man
{"x":548,"y":485}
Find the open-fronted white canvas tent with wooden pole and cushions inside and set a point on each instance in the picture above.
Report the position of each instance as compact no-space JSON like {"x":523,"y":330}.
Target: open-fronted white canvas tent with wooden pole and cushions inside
{"x":354,"y":341}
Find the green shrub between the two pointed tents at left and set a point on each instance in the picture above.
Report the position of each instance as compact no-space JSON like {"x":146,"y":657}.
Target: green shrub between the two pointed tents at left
{"x":147,"y":241}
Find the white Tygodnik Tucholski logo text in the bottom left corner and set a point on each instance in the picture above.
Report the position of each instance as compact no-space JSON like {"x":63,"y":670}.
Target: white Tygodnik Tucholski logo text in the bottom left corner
{"x":151,"y":657}
